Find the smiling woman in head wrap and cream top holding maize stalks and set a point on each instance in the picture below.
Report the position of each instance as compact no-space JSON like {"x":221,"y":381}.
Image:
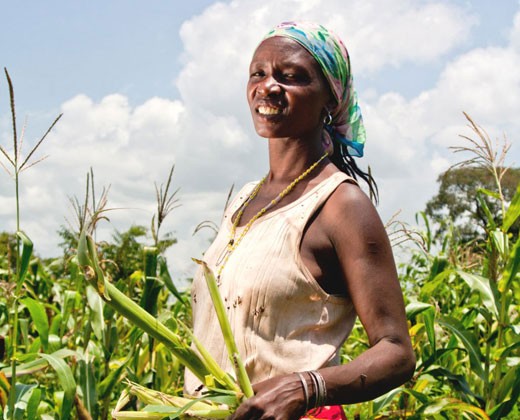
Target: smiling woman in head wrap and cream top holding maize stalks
{"x":303,"y":251}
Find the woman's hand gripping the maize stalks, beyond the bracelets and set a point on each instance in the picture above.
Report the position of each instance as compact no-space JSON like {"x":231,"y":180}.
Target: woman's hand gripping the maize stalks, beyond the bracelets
{"x":279,"y":398}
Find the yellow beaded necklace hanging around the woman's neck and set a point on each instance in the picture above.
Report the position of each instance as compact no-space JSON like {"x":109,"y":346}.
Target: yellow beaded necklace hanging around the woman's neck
{"x":233,"y":243}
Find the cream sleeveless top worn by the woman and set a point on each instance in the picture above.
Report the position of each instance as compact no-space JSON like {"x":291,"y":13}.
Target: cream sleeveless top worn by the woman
{"x":282,"y":320}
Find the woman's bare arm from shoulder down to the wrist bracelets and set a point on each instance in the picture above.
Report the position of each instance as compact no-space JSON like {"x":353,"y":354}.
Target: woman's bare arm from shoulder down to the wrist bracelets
{"x":368,"y":268}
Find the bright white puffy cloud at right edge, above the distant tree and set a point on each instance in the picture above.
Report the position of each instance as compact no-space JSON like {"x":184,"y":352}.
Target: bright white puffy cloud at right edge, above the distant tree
{"x":482,"y":82}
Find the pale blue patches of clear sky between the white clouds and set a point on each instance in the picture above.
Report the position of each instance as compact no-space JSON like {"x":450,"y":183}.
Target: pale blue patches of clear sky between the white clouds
{"x":60,"y":48}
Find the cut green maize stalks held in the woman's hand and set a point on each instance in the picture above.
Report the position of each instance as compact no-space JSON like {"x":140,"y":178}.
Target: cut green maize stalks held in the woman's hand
{"x":223,"y":393}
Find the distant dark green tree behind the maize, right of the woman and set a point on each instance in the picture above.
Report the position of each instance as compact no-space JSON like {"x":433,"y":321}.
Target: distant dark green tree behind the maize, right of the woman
{"x":458,"y":201}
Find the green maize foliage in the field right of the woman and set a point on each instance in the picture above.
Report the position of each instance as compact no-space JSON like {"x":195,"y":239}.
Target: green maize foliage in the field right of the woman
{"x":463,"y":311}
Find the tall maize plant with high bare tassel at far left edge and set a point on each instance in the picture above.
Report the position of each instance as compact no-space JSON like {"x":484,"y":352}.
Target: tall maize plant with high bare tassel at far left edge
{"x":18,"y":399}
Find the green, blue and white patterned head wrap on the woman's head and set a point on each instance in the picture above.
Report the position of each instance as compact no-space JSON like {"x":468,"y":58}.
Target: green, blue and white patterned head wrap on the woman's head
{"x":347,"y":126}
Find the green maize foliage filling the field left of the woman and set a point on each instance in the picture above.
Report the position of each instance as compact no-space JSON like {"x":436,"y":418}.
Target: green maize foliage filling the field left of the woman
{"x":63,"y":352}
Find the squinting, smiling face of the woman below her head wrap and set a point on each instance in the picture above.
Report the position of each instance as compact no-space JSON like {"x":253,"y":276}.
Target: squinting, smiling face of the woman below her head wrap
{"x":286,"y":91}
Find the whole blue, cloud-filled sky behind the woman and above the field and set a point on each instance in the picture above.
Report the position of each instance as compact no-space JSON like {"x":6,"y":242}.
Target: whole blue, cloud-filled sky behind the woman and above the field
{"x":144,"y":85}
